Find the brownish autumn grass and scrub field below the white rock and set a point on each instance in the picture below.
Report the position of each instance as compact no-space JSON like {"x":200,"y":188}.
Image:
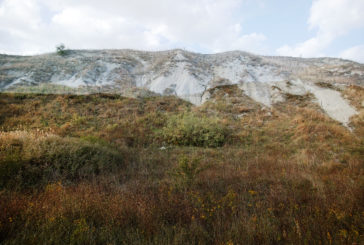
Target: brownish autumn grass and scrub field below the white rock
{"x":103,"y":169}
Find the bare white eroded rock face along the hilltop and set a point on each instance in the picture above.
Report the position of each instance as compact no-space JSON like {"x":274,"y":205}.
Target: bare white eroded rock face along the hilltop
{"x":189,"y":75}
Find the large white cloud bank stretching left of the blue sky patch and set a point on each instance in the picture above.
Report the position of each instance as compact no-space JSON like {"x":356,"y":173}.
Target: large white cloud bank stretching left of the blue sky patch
{"x":33,"y":26}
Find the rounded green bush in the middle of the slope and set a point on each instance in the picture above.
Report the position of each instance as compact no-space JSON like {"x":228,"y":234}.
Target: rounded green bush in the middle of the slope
{"x":191,"y":130}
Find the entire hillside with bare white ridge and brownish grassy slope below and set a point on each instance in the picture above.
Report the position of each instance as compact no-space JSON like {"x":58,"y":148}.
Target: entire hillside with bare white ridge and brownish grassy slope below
{"x":240,"y":149}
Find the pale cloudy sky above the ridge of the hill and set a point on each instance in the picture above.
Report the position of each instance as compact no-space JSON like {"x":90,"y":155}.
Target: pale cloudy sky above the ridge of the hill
{"x":302,"y":28}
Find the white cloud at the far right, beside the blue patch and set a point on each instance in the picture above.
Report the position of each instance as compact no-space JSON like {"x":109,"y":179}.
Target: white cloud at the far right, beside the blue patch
{"x":331,"y":19}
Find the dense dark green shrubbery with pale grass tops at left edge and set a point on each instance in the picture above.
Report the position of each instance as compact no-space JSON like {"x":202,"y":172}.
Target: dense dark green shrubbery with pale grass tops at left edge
{"x":27,"y":160}
